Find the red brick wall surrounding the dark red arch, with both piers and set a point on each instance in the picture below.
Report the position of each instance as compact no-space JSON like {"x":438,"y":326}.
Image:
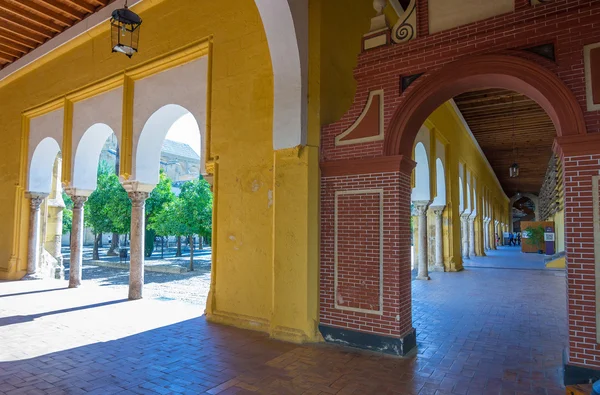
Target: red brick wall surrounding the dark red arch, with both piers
{"x":569,"y":25}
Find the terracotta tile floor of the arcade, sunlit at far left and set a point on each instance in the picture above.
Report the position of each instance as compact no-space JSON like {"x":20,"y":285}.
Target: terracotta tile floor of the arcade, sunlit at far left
{"x":481,"y":331}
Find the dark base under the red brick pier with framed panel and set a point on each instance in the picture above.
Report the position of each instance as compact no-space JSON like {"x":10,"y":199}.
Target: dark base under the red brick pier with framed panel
{"x":405,"y":346}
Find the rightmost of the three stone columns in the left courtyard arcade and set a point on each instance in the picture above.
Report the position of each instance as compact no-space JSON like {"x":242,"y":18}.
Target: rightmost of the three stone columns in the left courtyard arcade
{"x":136,"y":262}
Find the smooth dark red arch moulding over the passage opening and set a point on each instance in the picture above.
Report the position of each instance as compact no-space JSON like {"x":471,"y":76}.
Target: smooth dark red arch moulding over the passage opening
{"x":480,"y":72}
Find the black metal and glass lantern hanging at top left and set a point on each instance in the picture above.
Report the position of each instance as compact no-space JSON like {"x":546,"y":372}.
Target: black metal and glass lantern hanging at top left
{"x":125,"y":31}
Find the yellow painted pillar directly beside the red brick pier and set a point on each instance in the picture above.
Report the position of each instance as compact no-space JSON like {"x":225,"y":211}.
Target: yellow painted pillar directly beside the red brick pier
{"x":295,"y":293}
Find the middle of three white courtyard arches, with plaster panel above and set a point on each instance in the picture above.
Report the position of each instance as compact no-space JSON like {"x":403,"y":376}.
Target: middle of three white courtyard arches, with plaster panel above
{"x":94,"y":120}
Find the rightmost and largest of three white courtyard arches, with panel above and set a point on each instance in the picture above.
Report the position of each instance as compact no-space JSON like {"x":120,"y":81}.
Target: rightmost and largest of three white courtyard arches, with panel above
{"x":182,"y":90}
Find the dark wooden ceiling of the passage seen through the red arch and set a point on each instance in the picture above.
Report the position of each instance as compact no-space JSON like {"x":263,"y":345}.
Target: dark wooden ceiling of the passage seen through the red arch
{"x":502,"y":120}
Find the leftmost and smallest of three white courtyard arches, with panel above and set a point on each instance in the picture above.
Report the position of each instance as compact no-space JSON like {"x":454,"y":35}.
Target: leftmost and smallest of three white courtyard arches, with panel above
{"x":45,"y":142}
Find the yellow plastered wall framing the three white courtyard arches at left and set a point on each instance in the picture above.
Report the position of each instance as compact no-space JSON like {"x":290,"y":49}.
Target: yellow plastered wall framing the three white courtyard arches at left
{"x":242,"y":139}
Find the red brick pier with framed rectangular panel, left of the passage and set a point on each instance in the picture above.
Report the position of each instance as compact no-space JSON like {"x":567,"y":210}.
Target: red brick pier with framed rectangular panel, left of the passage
{"x":356,"y":249}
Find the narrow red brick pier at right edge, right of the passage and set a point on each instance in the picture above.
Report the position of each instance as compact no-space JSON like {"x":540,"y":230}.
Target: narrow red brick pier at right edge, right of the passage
{"x":579,"y":246}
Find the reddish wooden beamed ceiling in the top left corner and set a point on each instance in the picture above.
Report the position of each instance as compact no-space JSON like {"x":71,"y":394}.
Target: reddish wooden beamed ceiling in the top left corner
{"x":27,"y":24}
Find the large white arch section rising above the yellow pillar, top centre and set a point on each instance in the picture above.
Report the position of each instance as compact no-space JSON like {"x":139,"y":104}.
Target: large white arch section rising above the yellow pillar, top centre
{"x":286,"y":27}
